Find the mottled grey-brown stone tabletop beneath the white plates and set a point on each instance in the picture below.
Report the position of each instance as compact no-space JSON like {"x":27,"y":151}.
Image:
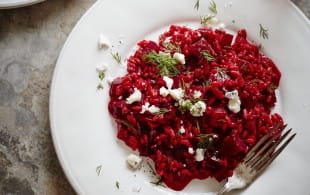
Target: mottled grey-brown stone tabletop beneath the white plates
{"x":30,"y":41}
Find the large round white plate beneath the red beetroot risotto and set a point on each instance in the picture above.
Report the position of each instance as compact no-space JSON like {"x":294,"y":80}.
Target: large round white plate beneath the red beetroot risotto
{"x":82,"y":129}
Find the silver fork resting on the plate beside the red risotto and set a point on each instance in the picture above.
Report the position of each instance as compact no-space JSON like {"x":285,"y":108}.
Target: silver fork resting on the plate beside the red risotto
{"x":258,"y":159}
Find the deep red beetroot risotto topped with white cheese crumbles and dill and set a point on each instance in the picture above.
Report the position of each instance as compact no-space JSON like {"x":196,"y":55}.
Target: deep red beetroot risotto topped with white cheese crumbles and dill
{"x":195,"y":102}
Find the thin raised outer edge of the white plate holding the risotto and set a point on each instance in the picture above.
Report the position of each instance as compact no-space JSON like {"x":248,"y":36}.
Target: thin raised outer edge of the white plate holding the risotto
{"x":61,"y":157}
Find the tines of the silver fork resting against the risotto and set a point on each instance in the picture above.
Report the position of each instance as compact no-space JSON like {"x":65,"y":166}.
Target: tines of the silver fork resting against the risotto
{"x":267,"y":148}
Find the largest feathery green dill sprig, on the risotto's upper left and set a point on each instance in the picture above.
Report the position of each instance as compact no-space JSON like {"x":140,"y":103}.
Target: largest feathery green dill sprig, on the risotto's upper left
{"x":165,"y":63}
